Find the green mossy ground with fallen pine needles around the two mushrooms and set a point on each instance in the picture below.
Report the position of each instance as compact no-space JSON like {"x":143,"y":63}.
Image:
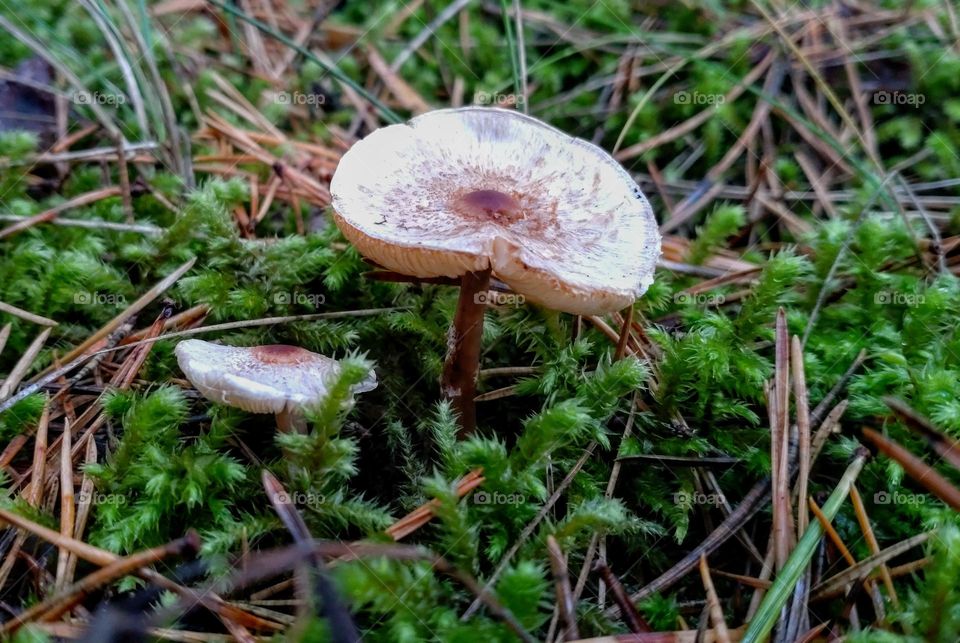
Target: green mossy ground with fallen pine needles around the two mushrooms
{"x":818,"y":176}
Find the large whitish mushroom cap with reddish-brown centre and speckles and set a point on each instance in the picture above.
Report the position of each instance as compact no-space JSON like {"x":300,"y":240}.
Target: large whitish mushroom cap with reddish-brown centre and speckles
{"x":457,"y":190}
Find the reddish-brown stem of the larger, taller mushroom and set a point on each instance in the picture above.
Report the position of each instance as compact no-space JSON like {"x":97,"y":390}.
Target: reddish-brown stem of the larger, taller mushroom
{"x":459,"y":381}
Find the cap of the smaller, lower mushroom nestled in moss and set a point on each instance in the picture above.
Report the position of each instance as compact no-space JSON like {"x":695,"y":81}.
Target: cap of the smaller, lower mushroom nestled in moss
{"x":260,"y":379}
